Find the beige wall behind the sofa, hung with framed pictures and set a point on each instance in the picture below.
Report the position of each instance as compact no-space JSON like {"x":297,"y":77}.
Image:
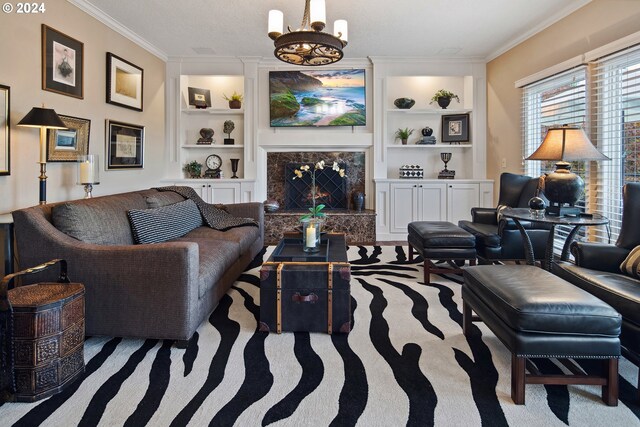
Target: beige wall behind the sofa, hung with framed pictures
{"x":20,"y":68}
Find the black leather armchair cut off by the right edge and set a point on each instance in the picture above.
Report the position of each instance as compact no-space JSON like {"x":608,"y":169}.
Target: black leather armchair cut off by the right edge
{"x":597,"y":271}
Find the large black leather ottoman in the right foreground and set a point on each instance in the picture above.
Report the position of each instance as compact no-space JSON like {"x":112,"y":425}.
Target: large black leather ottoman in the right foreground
{"x":539,"y":315}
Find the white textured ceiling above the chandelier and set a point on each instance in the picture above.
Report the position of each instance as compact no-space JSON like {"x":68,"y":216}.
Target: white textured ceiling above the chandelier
{"x":407,"y":28}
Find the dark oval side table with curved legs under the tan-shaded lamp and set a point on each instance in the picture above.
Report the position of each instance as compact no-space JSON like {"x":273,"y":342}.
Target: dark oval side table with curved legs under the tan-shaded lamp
{"x":523,"y":214}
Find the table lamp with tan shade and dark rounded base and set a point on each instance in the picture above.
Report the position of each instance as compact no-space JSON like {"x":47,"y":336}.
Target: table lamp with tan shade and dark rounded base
{"x":562,"y":187}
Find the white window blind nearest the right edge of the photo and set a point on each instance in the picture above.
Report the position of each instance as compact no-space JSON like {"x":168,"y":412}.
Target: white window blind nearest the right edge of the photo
{"x":616,"y":110}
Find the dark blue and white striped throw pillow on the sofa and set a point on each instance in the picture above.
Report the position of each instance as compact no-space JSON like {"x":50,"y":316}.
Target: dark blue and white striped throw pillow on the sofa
{"x":164,"y":223}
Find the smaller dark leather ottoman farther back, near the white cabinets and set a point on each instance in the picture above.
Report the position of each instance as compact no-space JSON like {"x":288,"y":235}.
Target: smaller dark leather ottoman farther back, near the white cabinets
{"x":440,"y":240}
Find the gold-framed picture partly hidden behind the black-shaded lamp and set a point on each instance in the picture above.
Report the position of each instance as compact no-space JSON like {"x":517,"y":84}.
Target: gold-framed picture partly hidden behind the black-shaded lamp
{"x":65,"y":145}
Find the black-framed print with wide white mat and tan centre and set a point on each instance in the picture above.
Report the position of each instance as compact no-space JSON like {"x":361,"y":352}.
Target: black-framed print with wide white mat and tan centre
{"x":125,"y":82}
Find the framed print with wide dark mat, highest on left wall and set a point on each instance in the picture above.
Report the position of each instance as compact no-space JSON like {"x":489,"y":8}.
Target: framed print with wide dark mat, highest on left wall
{"x":62,"y":63}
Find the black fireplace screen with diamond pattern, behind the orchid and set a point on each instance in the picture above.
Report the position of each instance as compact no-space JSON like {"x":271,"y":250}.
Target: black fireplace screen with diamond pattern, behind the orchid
{"x":331,"y":188}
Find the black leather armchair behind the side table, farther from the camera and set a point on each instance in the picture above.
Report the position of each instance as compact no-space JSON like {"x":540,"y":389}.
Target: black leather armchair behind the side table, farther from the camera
{"x":500,"y":240}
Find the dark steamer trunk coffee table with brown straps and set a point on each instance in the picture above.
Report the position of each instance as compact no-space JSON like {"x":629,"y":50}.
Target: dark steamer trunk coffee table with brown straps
{"x":302,"y":291}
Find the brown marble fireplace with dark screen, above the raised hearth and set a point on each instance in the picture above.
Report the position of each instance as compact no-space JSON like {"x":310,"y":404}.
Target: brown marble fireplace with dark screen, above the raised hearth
{"x":280,"y":171}
